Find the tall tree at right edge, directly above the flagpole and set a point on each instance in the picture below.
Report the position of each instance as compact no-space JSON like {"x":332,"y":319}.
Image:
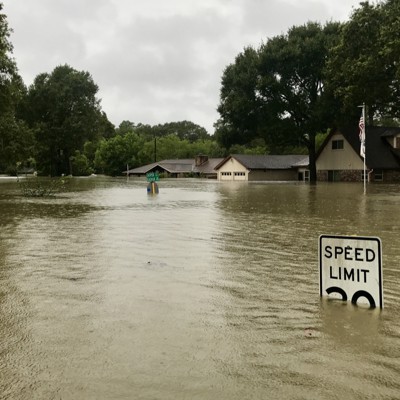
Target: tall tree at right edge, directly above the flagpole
{"x":367,"y":70}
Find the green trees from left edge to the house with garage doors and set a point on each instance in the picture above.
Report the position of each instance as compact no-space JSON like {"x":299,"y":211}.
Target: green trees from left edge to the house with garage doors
{"x":57,"y":126}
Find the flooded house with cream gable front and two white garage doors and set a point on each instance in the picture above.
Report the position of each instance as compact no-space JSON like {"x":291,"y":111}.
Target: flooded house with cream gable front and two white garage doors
{"x":241,"y":167}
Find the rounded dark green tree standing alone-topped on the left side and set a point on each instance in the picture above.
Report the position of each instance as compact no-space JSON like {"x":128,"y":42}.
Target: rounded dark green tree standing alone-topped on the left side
{"x":63,"y":110}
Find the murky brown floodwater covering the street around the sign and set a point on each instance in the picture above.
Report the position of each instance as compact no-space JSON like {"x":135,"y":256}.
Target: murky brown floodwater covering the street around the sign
{"x":208,"y":290}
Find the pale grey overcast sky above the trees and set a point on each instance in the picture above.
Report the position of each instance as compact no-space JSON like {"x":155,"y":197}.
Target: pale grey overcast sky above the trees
{"x":154,"y":61}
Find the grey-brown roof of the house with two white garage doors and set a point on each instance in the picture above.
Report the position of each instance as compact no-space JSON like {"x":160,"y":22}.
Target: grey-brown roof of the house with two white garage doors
{"x":263,"y":162}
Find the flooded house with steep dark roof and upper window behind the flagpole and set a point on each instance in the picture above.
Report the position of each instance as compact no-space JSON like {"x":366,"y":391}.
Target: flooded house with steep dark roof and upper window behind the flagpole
{"x":339,"y":157}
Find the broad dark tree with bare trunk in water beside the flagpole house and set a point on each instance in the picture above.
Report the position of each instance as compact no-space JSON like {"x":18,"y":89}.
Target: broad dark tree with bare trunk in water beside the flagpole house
{"x":279,"y":92}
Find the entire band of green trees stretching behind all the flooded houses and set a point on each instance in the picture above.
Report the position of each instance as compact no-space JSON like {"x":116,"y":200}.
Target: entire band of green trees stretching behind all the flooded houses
{"x":281,"y":97}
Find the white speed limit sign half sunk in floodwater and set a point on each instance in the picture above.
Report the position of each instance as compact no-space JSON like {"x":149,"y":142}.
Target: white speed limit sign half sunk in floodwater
{"x":350,"y":268}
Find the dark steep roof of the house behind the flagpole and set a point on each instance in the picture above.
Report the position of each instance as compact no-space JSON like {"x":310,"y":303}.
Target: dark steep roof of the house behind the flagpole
{"x":379,"y":153}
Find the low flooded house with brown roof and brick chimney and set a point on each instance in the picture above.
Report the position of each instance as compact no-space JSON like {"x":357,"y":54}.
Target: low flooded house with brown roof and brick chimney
{"x":200,"y":166}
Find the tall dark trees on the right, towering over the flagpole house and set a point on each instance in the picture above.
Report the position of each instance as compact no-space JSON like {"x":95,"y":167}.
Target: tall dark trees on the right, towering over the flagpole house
{"x":298,"y":85}
